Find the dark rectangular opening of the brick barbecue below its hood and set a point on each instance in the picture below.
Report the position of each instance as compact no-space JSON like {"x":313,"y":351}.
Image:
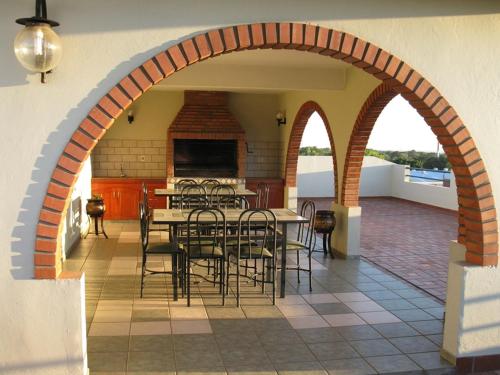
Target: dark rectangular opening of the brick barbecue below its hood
{"x":205,"y":158}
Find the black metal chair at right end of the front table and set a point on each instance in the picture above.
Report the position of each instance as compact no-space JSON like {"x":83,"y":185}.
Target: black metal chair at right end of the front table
{"x":306,"y":240}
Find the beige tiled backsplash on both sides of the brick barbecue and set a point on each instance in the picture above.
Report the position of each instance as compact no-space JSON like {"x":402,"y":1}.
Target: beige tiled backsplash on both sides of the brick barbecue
{"x":147,"y":158}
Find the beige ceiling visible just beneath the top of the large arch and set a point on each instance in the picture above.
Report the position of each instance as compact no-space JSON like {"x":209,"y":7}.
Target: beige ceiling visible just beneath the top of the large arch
{"x":261,"y":70}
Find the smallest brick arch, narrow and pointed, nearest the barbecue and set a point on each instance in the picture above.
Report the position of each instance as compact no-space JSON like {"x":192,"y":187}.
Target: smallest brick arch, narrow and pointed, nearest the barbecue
{"x":292,"y":155}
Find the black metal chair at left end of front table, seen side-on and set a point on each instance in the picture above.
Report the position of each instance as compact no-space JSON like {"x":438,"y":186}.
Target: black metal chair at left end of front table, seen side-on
{"x":169,"y":248}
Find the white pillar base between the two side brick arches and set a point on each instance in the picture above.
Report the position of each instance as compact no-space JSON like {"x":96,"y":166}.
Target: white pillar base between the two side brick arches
{"x":347,"y":233}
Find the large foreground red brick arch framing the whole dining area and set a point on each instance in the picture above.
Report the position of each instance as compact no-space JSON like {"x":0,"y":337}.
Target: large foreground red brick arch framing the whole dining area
{"x":479,"y":214}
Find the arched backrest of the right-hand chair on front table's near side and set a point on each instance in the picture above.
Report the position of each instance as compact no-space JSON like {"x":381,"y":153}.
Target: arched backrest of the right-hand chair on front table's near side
{"x":256,"y":241}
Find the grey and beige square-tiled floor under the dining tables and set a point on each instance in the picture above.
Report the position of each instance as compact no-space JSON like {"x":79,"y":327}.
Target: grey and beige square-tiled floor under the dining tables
{"x":358,"y":320}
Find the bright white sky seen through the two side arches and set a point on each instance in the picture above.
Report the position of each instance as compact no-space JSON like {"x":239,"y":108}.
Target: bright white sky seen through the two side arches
{"x":398,"y":128}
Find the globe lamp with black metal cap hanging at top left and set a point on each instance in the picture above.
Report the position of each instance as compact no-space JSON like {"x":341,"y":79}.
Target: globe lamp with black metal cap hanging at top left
{"x":37,"y":47}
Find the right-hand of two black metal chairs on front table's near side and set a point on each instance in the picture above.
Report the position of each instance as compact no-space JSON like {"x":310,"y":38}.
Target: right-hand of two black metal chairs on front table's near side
{"x":256,"y":246}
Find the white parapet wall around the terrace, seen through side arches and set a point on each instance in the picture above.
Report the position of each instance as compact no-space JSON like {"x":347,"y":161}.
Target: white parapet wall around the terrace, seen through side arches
{"x":379,"y":178}
